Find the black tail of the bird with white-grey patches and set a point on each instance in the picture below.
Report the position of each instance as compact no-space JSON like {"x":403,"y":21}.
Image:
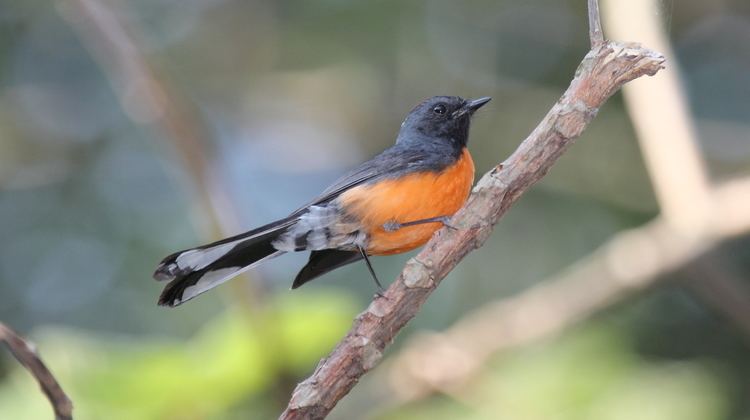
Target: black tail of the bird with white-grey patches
{"x":194,"y":271}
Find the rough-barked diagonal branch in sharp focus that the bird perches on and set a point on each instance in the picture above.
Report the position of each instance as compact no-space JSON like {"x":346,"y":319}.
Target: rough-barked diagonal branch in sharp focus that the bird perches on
{"x":601,"y":73}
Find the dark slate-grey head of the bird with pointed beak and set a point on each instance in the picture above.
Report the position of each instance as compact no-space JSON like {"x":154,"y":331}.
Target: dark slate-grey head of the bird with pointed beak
{"x":442,"y":118}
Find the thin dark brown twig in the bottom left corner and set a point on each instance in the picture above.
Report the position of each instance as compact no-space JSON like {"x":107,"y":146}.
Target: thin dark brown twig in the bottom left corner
{"x":26,"y":354}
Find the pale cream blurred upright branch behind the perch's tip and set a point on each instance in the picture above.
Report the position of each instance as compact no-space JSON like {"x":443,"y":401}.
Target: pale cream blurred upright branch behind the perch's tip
{"x":661,"y":117}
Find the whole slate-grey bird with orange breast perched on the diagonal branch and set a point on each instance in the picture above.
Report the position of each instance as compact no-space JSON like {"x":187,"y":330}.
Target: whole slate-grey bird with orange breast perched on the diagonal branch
{"x":390,"y":204}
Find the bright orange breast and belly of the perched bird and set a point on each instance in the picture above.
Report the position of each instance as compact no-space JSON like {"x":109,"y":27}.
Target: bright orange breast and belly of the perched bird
{"x":412,"y":197}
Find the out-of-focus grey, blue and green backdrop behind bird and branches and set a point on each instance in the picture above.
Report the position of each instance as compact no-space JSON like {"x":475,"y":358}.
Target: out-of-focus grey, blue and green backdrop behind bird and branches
{"x":156,"y":125}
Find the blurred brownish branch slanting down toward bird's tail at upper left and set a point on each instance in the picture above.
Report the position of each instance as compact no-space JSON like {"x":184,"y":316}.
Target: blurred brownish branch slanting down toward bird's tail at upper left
{"x":147,"y":98}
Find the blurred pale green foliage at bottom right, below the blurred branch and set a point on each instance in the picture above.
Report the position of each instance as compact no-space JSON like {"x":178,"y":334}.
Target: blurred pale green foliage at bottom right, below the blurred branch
{"x":593,"y":373}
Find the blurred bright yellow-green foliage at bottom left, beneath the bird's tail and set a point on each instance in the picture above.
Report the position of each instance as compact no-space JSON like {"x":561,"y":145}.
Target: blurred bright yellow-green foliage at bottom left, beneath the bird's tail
{"x":232,"y":358}
